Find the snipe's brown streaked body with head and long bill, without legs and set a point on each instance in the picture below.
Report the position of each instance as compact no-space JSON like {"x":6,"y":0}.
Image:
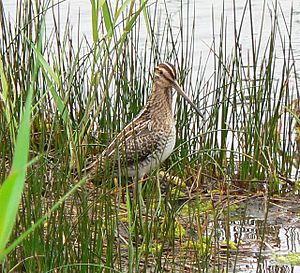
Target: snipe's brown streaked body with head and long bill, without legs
{"x":150,"y":137}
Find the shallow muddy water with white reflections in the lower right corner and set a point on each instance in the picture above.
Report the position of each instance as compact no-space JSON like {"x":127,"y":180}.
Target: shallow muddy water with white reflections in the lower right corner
{"x":278,"y":228}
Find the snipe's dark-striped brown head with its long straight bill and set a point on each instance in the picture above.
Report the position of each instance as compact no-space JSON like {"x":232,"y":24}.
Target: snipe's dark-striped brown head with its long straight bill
{"x":165,"y":77}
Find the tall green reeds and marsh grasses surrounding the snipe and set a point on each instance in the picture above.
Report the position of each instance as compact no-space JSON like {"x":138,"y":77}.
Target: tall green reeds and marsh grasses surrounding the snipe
{"x":62,"y":101}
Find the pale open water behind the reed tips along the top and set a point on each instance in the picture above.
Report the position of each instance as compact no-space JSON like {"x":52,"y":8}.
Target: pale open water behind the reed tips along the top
{"x":203,"y":20}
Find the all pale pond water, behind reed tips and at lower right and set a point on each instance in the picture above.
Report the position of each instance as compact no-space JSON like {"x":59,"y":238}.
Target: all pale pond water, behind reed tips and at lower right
{"x":282,"y":222}
